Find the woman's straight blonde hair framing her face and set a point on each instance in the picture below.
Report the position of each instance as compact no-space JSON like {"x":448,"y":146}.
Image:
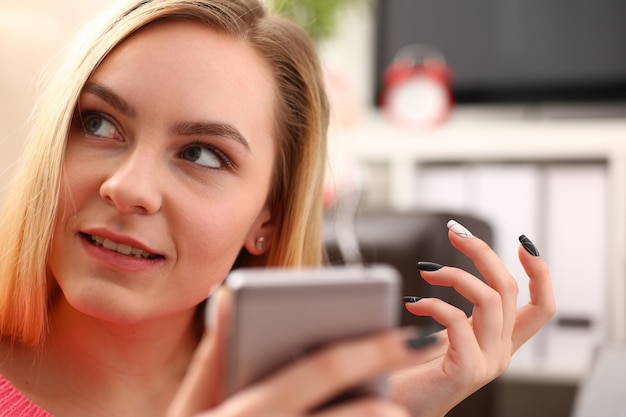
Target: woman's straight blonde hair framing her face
{"x":301,"y":118}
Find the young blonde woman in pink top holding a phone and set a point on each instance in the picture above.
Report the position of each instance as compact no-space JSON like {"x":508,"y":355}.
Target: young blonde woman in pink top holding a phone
{"x":179,"y":139}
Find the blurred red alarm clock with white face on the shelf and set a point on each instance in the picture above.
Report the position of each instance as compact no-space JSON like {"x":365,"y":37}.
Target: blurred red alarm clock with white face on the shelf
{"x":416,"y":87}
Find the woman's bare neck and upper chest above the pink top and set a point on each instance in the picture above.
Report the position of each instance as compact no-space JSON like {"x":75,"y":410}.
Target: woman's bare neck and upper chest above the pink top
{"x":131,"y":368}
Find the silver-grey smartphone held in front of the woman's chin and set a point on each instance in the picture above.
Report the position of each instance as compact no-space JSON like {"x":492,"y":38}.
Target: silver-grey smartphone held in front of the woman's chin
{"x":282,"y":315}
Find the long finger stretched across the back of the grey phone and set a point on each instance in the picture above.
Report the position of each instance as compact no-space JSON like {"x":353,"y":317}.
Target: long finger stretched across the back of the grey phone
{"x":331,"y":371}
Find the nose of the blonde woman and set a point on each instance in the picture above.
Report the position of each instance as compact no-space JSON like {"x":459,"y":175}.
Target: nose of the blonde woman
{"x":133,"y":185}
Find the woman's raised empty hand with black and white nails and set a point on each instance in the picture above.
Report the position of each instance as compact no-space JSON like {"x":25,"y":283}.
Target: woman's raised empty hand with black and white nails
{"x":471,"y":352}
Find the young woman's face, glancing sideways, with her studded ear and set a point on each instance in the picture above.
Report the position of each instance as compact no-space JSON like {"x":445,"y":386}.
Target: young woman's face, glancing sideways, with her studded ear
{"x":166,"y":173}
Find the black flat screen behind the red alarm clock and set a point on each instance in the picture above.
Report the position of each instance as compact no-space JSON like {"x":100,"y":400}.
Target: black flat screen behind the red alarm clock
{"x":514,"y":50}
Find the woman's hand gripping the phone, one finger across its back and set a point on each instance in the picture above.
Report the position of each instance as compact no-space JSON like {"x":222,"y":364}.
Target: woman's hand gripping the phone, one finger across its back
{"x":298,"y":389}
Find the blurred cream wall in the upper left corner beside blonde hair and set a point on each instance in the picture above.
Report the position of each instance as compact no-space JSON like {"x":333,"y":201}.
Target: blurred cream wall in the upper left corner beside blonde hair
{"x":31,"y":32}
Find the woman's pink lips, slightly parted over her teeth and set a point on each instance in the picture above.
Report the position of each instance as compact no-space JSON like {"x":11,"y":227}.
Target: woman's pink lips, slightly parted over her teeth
{"x":115,"y":260}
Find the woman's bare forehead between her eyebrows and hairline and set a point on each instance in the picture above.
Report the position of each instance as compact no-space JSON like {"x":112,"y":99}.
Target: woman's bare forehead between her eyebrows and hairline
{"x":195,"y":69}
